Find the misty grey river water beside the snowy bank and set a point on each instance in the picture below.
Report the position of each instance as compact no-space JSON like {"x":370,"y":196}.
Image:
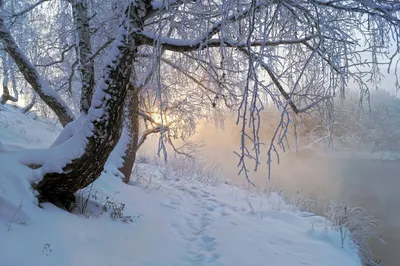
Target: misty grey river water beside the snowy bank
{"x":371,"y":184}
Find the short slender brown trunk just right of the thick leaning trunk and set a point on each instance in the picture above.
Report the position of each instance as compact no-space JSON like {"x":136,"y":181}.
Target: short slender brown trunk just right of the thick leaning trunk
{"x":132,"y":129}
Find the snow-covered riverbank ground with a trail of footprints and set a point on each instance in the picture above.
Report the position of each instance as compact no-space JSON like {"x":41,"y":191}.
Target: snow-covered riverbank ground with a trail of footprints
{"x":171,"y":221}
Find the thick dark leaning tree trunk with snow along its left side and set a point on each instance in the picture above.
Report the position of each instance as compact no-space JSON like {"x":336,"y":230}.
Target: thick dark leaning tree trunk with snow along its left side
{"x":104,"y":118}
